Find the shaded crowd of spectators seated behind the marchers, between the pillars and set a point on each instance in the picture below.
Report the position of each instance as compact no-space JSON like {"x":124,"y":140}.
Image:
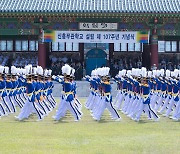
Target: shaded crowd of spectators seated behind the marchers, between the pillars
{"x":56,"y":61}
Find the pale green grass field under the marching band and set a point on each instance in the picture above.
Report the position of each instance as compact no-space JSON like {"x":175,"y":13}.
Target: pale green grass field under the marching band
{"x":88,"y":136}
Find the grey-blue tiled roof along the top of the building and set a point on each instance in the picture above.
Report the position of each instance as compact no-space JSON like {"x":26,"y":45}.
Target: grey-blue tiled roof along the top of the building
{"x":80,"y":6}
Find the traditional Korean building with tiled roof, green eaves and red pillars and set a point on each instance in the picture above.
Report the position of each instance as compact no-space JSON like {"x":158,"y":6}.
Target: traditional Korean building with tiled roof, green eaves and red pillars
{"x":22,"y":23}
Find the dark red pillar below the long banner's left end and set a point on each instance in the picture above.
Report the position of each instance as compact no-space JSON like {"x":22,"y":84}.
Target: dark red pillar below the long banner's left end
{"x":42,"y":54}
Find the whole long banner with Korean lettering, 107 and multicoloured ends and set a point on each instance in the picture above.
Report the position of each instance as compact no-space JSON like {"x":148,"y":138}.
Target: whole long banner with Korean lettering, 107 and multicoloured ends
{"x":97,"y":36}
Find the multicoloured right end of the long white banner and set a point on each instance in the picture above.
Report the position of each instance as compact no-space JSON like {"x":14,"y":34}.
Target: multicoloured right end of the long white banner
{"x":142,"y":37}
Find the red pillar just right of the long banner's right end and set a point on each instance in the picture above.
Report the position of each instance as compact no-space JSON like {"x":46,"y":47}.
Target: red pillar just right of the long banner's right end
{"x":154,"y":48}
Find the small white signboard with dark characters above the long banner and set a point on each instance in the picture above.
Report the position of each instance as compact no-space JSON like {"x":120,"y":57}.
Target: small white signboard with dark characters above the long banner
{"x":98,"y":26}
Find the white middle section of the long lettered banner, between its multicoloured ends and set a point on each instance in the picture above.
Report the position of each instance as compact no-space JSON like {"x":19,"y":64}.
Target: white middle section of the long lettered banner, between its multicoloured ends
{"x":96,"y":37}
